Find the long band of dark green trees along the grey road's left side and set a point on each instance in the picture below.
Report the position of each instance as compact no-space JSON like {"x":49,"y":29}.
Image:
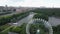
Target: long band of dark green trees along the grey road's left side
{"x":12,"y":18}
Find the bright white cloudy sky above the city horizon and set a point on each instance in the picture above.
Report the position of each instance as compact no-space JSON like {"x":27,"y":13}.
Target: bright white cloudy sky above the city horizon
{"x":31,"y":3}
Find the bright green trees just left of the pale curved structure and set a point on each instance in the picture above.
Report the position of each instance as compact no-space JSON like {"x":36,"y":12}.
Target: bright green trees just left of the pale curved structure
{"x":19,"y":29}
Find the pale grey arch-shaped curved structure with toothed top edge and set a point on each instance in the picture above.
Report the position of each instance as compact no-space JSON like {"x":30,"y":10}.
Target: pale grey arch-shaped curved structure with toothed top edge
{"x":47,"y":25}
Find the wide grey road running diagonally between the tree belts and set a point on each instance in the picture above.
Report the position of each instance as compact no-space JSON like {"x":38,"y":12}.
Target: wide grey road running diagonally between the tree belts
{"x":24,"y":20}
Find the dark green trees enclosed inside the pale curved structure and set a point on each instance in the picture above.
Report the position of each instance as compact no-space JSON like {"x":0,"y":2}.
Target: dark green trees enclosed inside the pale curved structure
{"x":35,"y":27}
